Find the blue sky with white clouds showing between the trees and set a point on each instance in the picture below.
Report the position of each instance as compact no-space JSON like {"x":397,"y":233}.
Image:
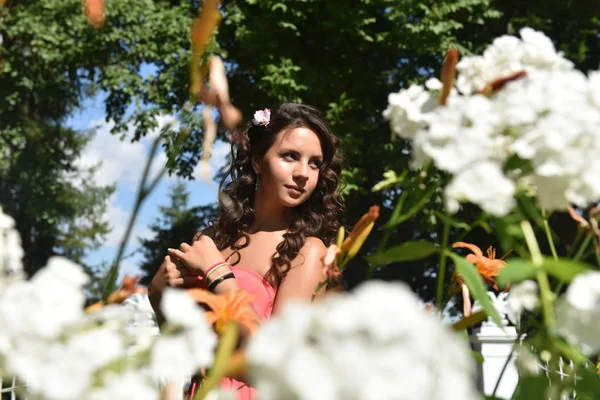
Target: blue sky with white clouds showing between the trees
{"x":122,"y":163}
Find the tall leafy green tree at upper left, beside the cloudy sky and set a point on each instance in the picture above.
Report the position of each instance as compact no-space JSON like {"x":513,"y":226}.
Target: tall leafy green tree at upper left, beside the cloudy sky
{"x":51,"y":59}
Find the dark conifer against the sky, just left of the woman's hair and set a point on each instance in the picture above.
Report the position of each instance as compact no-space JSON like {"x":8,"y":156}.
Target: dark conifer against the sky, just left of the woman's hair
{"x":177,"y":223}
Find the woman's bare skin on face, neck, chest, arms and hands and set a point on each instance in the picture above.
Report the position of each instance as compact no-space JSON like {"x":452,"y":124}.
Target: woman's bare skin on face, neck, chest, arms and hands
{"x":288,"y":173}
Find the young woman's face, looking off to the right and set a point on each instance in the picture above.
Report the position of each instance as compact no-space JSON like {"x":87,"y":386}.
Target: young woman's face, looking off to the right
{"x":289,"y":171}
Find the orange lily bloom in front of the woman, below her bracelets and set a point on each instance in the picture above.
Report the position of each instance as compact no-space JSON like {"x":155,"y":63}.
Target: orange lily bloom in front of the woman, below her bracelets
{"x":224,"y":308}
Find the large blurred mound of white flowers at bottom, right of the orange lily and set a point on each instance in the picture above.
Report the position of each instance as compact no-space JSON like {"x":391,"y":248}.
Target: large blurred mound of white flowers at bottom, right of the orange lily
{"x":374,"y":343}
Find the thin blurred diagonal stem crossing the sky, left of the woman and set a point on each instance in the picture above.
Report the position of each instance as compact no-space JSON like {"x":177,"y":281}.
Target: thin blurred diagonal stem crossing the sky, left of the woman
{"x":113,"y":273}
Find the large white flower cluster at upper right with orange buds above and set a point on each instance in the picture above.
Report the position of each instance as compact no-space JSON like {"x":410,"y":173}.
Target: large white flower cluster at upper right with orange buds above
{"x":538,"y":132}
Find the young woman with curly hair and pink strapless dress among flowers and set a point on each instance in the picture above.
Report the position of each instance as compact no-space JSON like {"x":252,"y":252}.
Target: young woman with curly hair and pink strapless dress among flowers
{"x":278,"y":213}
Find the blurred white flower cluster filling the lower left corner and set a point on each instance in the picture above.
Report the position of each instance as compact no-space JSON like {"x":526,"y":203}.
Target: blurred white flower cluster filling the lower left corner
{"x":60,"y":352}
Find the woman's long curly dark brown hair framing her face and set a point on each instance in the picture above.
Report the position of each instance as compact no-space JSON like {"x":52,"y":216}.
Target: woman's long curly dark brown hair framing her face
{"x":316,"y":217}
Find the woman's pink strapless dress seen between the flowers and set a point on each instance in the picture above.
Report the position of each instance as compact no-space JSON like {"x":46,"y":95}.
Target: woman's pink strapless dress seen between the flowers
{"x":253,"y":283}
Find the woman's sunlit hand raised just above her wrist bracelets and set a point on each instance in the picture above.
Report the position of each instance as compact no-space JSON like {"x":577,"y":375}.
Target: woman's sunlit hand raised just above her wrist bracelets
{"x":200,"y":256}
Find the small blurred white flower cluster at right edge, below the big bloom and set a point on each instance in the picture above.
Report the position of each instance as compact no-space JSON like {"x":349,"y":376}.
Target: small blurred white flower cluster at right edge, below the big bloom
{"x":578,"y":313}
